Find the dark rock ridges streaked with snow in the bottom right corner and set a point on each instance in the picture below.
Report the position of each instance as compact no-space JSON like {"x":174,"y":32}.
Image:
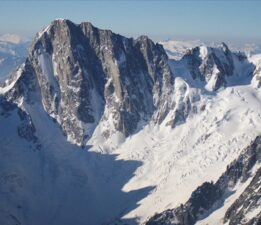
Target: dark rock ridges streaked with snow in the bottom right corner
{"x":208,"y":196}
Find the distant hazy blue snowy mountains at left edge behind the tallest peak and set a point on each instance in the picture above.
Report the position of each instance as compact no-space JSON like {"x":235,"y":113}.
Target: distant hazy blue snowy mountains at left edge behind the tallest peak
{"x":13,"y":52}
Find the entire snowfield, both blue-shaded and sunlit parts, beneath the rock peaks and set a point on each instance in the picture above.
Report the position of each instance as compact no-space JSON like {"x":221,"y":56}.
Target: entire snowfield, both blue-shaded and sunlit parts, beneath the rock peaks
{"x":48,"y":180}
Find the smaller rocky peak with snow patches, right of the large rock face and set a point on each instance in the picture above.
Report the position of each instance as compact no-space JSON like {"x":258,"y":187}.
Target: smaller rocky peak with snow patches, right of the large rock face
{"x":216,"y":66}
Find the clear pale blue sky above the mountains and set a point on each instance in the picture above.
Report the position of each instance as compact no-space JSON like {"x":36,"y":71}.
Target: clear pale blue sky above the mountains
{"x":206,"y":19}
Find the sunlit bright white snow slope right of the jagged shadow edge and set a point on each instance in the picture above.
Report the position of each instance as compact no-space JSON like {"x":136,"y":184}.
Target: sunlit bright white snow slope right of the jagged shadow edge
{"x":176,"y":161}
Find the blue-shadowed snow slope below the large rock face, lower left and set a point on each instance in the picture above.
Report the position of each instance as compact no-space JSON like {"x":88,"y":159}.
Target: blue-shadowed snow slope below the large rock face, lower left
{"x":49,"y":181}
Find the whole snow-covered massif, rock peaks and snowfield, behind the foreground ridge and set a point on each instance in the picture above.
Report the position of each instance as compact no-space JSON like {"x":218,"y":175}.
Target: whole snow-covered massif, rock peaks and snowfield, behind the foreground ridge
{"x":103,"y":129}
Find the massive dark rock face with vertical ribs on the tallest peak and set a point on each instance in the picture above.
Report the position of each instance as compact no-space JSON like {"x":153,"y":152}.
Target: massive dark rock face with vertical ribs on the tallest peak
{"x":84,"y":75}
